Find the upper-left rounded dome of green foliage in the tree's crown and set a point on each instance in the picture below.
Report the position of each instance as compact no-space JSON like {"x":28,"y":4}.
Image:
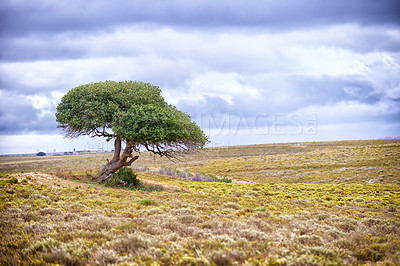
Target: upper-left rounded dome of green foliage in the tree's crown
{"x":95,"y":105}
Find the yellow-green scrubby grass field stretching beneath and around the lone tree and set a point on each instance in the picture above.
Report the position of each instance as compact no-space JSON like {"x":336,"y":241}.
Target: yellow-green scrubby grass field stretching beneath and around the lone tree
{"x":288,"y":204}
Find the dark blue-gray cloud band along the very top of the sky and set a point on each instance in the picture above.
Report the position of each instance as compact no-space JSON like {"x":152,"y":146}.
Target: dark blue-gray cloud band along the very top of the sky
{"x":22,"y":17}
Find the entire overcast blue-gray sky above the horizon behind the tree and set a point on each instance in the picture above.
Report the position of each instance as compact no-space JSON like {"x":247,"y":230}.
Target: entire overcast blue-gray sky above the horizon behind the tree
{"x":248,"y":72}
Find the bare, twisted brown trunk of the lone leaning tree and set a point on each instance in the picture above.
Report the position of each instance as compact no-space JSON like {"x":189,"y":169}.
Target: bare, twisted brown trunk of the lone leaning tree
{"x":118,"y":161}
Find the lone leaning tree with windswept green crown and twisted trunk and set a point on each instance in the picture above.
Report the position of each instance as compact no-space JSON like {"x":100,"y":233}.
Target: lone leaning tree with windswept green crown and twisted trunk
{"x":129,"y":112}
